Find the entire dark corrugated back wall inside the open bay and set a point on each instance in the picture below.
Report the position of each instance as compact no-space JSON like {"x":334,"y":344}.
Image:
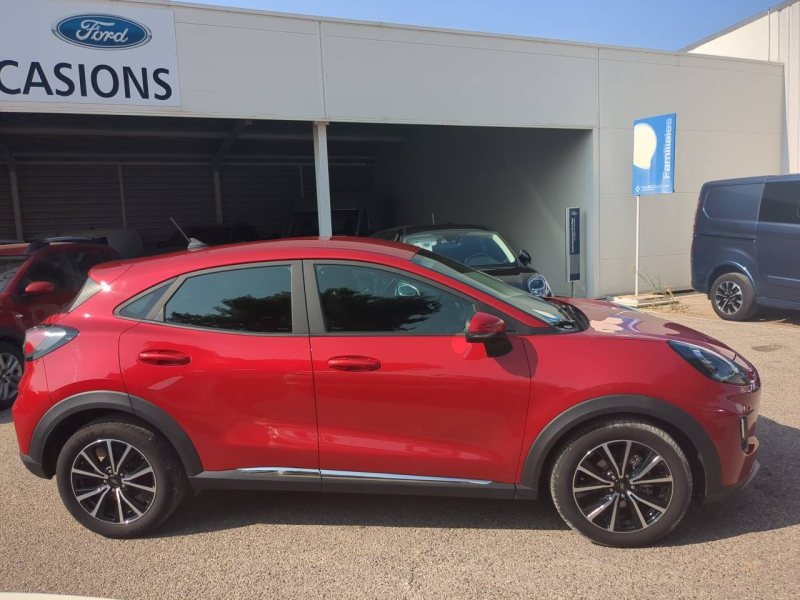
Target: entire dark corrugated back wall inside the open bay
{"x":62,"y":198}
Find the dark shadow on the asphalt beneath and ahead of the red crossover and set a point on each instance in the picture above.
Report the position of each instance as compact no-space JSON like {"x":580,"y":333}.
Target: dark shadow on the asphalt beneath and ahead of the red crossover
{"x":771,"y":502}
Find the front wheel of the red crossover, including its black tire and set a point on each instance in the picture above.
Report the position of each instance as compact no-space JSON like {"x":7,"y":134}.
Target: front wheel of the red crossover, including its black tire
{"x":627,"y":531}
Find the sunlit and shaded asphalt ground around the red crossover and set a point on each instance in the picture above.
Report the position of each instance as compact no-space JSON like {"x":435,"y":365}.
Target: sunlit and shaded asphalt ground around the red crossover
{"x":291,"y":545}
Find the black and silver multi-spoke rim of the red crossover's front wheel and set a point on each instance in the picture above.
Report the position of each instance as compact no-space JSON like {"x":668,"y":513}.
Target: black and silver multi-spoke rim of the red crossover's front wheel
{"x":622,"y":486}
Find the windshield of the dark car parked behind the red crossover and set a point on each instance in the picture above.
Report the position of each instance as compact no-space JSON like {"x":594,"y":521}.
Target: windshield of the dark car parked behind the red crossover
{"x":477,"y":249}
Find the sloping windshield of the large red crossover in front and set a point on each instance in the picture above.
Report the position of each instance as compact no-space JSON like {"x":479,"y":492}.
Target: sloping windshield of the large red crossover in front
{"x":490,"y":285}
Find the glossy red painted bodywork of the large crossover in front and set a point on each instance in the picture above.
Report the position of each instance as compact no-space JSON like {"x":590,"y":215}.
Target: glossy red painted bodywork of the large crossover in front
{"x":438,"y":406}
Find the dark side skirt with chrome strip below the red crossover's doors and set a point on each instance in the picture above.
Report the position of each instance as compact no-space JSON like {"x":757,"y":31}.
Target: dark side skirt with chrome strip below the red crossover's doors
{"x":323,"y":480}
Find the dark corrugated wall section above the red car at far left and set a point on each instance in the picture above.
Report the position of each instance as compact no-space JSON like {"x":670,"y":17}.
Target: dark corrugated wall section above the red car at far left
{"x":58,"y":198}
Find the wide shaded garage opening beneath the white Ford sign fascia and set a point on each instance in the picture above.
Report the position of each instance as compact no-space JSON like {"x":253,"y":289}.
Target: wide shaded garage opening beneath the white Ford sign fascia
{"x":74,"y":174}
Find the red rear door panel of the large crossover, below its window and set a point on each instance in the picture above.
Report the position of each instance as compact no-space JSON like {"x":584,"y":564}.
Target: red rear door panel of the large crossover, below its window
{"x":244,"y":400}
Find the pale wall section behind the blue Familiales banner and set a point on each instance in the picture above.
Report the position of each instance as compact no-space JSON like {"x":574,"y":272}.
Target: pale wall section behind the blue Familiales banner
{"x":728,"y":125}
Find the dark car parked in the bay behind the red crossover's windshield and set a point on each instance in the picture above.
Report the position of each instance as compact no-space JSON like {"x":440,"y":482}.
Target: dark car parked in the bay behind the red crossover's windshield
{"x":475,"y":246}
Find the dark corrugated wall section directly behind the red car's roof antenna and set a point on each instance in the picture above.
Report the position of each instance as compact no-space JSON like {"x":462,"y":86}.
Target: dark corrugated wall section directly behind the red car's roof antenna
{"x":154,"y":193}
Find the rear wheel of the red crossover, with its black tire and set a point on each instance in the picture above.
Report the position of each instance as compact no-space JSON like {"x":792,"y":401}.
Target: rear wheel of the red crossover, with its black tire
{"x":167,"y":479}
